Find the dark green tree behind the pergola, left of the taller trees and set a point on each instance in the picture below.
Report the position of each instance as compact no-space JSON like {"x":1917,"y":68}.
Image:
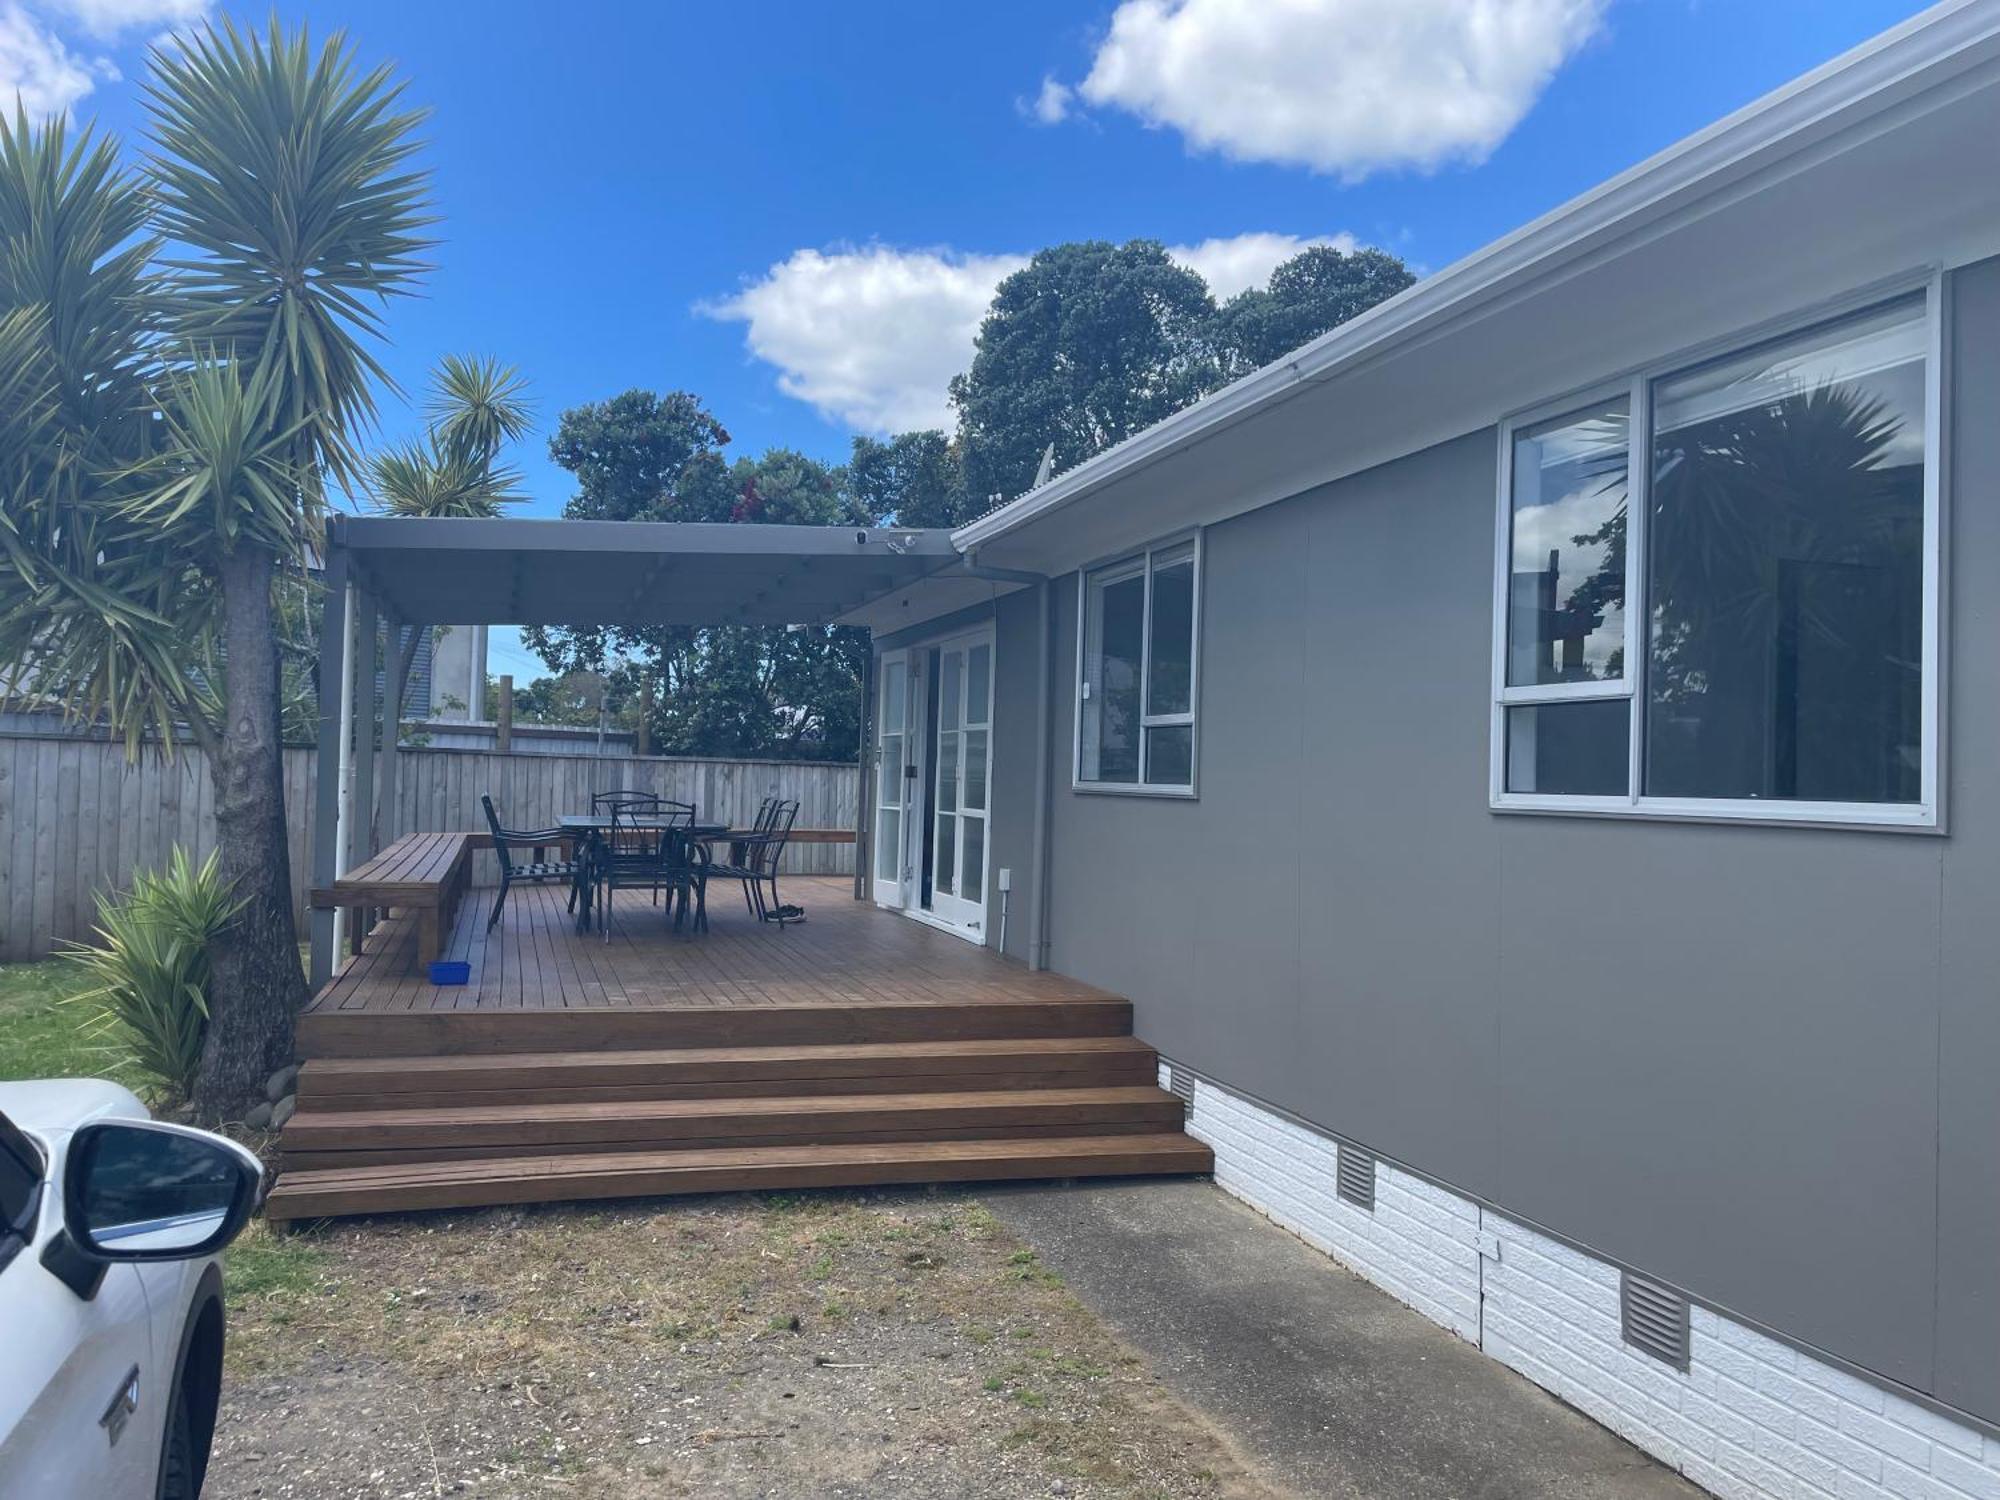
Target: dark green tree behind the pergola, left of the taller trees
{"x":725,"y":691}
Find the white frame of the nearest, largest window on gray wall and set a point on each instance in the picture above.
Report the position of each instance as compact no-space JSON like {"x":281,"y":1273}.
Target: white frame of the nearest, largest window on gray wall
{"x":1925,"y":815}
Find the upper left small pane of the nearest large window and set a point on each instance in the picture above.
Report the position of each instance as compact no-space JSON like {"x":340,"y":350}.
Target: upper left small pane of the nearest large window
{"x":1569,"y":549}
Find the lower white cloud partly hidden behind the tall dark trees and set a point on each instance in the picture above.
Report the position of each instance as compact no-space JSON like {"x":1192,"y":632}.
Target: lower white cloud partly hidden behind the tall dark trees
{"x":873,"y":335}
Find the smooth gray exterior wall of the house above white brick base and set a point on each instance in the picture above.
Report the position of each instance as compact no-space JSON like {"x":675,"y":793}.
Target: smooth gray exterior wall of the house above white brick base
{"x":1759,"y":1063}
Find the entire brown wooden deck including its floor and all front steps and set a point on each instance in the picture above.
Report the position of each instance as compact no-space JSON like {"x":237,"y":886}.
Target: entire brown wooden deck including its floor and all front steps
{"x":851,"y":1049}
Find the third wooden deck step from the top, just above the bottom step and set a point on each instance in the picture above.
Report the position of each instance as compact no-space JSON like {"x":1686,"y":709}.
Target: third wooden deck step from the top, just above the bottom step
{"x":387,"y":1137}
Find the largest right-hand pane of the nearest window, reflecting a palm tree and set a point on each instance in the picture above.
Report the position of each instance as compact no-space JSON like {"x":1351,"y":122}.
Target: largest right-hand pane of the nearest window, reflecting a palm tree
{"x":1787,"y":569}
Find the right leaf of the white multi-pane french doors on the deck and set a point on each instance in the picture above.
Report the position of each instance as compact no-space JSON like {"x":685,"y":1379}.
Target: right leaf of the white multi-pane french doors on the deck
{"x":961,"y":759}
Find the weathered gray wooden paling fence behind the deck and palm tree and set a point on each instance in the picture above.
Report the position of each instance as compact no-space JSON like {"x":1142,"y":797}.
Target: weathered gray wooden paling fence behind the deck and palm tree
{"x":77,"y":817}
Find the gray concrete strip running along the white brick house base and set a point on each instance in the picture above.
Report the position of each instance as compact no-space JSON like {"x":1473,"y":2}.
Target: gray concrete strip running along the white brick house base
{"x":1329,"y":1385}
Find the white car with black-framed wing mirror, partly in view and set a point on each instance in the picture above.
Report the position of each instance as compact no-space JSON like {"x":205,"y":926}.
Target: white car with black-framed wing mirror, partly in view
{"x":111,"y":1293}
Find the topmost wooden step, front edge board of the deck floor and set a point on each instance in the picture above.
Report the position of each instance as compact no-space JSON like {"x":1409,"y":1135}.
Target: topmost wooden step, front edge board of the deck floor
{"x":627,"y":1029}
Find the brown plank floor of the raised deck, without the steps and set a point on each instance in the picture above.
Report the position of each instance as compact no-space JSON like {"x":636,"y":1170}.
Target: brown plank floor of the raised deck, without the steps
{"x":845,"y":953}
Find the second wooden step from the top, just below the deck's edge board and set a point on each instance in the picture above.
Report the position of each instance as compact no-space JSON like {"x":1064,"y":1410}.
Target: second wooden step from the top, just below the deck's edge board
{"x":725,"y":1073}
